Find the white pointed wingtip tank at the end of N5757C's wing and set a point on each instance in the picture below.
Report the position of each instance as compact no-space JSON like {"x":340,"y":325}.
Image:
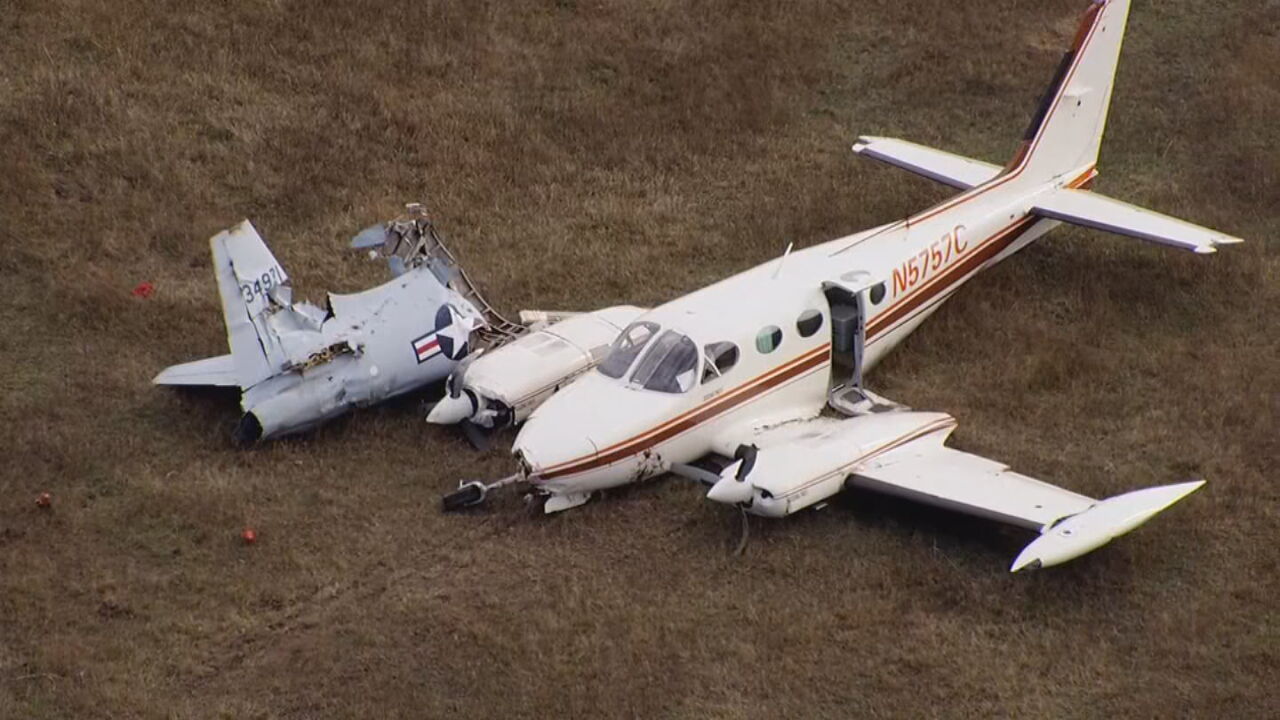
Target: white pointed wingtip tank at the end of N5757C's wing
{"x":1099,"y":526}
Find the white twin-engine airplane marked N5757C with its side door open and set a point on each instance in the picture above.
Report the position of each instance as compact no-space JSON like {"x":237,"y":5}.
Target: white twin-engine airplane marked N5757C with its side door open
{"x":746,"y":368}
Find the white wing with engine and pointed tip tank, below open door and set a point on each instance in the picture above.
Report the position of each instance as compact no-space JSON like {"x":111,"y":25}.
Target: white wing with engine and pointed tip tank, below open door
{"x":903,"y":453}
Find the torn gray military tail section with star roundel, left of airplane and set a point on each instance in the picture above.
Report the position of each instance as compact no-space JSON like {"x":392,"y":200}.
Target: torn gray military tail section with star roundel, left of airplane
{"x":299,"y":366}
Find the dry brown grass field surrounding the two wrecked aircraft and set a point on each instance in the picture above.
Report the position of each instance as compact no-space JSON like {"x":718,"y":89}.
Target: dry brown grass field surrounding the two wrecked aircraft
{"x":586,"y":154}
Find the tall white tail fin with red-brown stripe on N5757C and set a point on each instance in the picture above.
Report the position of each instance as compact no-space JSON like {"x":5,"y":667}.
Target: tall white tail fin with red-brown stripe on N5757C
{"x":1067,"y":130}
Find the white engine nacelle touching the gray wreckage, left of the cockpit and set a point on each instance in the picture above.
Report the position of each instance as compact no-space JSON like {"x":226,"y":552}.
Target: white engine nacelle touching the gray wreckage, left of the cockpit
{"x":502,"y":388}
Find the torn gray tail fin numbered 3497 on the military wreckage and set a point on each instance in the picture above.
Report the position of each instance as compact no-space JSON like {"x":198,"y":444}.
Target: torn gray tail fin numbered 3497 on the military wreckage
{"x":250,"y":282}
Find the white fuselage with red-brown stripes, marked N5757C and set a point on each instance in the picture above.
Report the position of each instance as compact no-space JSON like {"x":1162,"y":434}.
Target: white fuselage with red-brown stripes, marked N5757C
{"x":605,"y":431}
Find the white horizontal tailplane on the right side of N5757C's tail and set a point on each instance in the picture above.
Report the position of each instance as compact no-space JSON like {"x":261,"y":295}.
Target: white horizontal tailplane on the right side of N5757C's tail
{"x":1099,"y":212}
